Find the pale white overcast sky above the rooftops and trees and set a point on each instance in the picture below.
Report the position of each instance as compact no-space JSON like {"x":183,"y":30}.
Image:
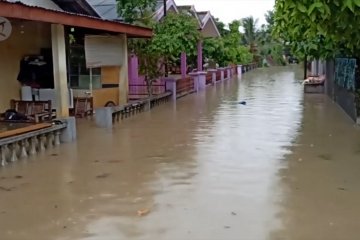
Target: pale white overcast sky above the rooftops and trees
{"x":228,"y":10}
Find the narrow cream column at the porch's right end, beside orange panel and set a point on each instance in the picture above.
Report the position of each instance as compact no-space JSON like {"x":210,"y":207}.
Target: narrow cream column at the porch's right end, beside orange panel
{"x":124,"y":74}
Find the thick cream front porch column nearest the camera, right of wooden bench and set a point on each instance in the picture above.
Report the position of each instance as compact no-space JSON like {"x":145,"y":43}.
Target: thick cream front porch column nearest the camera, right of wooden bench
{"x":60,"y":70}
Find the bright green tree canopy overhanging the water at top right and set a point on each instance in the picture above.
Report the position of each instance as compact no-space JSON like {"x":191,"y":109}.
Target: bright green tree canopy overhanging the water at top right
{"x":319,"y":29}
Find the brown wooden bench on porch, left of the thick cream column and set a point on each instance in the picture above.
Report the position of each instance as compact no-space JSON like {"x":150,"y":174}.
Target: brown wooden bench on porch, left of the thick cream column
{"x":35,"y":111}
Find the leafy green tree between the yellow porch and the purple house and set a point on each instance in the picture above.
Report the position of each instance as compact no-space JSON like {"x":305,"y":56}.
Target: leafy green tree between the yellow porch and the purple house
{"x":174,"y":34}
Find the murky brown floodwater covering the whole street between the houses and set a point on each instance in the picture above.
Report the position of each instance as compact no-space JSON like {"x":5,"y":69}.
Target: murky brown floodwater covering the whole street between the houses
{"x":281,"y":167}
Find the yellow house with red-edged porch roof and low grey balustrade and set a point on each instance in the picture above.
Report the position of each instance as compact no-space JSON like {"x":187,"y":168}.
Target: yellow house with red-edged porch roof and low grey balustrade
{"x":40,"y":43}
